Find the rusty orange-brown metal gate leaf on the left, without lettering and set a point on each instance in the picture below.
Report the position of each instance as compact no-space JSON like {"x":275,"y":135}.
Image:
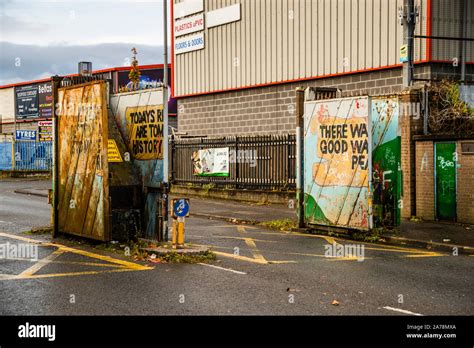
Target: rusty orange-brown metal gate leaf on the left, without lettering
{"x":83,"y":197}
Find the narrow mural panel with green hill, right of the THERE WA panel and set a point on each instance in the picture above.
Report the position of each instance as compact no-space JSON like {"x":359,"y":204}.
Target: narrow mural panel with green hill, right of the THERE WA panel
{"x":386,"y":165}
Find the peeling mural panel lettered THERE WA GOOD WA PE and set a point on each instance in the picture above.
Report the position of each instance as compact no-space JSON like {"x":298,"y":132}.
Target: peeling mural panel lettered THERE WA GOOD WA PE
{"x":337,"y":162}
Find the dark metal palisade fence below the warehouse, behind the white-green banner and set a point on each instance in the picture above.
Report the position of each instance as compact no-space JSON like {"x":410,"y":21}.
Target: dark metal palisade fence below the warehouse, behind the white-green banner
{"x":264,"y":162}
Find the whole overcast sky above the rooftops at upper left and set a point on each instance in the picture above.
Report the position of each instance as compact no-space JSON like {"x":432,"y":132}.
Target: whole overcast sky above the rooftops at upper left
{"x":40,"y":38}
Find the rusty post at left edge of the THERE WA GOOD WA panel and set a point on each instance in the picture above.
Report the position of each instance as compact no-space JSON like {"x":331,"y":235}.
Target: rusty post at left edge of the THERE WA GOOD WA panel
{"x":300,"y":155}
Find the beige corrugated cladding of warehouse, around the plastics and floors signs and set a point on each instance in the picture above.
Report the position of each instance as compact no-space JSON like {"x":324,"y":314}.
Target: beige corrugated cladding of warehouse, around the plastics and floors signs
{"x":280,"y":40}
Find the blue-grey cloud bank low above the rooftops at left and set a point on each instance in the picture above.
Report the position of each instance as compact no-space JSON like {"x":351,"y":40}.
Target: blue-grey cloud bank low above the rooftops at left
{"x":30,"y":62}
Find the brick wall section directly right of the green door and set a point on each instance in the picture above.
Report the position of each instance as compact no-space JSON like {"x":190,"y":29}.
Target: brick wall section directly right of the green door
{"x":465,"y":189}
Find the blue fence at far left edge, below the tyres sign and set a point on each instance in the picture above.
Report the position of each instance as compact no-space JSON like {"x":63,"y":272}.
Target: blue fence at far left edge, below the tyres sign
{"x":26,"y":156}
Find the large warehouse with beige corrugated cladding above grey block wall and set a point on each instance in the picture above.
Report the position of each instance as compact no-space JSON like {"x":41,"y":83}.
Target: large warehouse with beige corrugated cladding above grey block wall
{"x":237,"y":63}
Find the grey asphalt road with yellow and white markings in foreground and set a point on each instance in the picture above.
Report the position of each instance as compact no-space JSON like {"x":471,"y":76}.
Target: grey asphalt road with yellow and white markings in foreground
{"x":257,"y":272}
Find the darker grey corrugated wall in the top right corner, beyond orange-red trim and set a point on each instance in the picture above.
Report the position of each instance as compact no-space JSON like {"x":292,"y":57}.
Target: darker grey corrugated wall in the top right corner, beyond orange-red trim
{"x":447,"y":21}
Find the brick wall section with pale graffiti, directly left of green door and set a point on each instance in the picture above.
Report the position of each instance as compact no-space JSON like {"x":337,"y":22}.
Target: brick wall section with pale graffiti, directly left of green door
{"x":424,"y":168}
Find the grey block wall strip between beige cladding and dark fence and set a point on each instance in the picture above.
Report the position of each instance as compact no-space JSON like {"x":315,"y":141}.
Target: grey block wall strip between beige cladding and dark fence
{"x":271,"y":109}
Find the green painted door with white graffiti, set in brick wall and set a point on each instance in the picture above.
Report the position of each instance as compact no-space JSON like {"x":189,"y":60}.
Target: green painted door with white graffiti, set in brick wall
{"x":445,"y":181}
